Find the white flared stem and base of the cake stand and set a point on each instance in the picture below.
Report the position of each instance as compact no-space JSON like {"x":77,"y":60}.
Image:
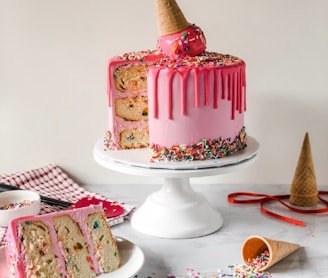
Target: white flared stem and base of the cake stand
{"x":176,"y":211}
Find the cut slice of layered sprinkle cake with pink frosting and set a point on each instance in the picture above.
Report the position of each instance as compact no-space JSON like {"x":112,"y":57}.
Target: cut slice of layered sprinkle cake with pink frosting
{"x":72,"y":243}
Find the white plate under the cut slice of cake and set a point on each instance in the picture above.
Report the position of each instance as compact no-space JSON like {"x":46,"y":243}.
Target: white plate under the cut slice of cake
{"x":132,"y":260}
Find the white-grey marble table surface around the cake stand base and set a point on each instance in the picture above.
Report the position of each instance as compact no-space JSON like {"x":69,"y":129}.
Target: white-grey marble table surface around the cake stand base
{"x":214,"y":253}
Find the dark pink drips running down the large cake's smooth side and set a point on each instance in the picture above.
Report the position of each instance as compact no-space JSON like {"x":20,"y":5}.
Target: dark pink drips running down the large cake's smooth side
{"x":233,"y":88}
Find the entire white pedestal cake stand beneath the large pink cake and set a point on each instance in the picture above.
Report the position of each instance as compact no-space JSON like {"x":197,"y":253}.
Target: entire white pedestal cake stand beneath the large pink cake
{"x":176,"y":210}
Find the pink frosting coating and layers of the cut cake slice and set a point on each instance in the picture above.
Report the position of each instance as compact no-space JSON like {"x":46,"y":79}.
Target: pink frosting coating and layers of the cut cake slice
{"x":14,"y":252}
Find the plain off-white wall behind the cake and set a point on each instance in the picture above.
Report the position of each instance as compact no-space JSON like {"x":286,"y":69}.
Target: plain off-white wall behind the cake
{"x":53,"y":59}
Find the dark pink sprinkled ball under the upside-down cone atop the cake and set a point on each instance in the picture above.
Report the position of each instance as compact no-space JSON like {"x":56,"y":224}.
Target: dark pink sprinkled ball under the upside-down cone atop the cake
{"x":188,"y":42}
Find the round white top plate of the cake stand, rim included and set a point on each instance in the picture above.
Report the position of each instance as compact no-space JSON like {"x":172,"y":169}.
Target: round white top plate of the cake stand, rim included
{"x":137,"y":162}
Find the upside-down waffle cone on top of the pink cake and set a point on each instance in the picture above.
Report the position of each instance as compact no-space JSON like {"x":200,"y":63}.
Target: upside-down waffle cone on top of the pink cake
{"x":170,"y":19}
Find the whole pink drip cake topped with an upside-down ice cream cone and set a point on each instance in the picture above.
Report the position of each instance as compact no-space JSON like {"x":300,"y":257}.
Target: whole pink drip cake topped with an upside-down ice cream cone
{"x":180,"y":100}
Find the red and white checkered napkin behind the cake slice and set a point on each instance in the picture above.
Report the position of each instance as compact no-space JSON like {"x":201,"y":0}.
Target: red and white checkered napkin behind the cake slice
{"x":52,"y":182}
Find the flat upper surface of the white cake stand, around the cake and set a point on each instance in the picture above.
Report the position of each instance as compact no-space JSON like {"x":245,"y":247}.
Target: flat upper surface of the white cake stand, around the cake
{"x":140,"y":157}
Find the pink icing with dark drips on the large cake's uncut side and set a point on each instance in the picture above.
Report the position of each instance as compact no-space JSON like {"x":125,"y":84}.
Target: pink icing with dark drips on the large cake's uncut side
{"x":196,"y":100}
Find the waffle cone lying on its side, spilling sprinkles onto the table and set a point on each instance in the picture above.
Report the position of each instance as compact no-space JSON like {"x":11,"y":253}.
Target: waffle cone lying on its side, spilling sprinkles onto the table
{"x":278,"y":250}
